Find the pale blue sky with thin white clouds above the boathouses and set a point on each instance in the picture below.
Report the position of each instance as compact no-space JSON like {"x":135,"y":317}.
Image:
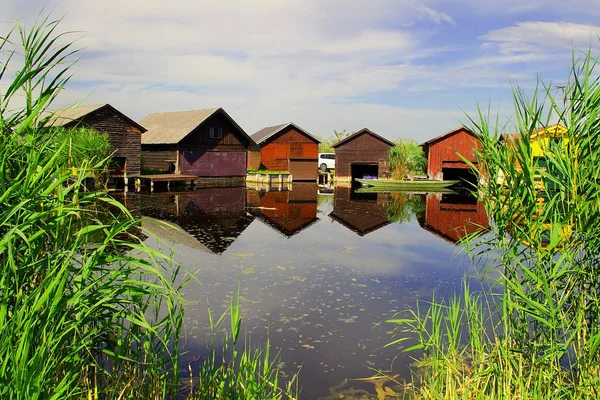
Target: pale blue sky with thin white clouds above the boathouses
{"x":402,"y":68}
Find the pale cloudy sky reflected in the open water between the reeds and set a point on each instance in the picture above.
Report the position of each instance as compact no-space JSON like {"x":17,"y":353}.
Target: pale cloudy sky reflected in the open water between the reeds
{"x":319,"y":294}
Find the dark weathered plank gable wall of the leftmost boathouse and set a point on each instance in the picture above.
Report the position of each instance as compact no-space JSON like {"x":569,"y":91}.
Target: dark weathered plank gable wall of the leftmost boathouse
{"x":124,"y":137}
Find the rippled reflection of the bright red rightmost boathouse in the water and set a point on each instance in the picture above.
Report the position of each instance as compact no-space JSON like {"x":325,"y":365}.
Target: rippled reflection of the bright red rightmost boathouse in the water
{"x":452,"y":216}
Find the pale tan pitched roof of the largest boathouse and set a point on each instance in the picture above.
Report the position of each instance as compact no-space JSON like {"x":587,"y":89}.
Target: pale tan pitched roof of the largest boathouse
{"x":172,"y":127}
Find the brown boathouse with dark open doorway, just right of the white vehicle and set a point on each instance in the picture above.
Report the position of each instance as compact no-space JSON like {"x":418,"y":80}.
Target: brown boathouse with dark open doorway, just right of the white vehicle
{"x":361,"y":154}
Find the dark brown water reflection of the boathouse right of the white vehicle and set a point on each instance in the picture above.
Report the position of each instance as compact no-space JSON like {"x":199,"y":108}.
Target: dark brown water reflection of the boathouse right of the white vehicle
{"x":362,"y":213}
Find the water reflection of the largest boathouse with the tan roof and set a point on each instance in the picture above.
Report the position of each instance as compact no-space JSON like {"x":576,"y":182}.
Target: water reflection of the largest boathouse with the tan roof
{"x":214,"y":217}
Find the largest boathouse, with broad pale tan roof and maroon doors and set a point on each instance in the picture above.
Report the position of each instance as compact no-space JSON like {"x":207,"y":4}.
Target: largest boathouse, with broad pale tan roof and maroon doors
{"x":203,"y":143}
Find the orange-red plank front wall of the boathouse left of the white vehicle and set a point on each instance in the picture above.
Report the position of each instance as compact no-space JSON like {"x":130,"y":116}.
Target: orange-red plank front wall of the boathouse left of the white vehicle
{"x":286,"y":145}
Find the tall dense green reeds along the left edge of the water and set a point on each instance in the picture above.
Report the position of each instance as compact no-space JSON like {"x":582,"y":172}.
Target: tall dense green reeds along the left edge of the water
{"x":86,"y":309}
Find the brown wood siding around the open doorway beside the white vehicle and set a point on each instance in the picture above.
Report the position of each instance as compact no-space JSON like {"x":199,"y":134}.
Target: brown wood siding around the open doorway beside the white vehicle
{"x":363,"y":149}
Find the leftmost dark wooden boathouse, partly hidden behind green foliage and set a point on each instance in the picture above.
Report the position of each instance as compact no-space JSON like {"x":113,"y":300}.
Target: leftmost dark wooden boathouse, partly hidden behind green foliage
{"x":124,"y":134}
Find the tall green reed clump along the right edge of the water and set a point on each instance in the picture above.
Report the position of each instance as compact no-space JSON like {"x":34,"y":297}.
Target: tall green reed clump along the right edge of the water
{"x":536,"y":333}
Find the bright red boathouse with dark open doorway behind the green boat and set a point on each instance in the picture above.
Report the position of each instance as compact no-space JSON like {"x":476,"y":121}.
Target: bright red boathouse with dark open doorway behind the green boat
{"x":446,"y":155}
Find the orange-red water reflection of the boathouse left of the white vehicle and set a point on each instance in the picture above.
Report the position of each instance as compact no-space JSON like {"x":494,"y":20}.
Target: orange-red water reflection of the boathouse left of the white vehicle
{"x":287,"y":211}
